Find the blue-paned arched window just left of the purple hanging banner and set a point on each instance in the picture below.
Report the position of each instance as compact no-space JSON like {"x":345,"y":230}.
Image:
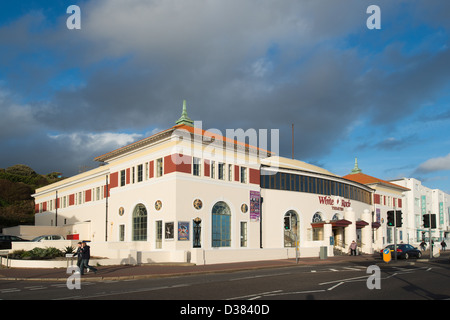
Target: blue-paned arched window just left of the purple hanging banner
{"x":221,"y":225}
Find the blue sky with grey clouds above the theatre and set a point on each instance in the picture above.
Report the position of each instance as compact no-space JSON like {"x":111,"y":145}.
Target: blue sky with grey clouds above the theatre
{"x":381,"y":95}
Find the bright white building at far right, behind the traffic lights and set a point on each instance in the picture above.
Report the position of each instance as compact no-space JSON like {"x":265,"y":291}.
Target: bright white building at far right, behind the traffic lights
{"x":420,"y":200}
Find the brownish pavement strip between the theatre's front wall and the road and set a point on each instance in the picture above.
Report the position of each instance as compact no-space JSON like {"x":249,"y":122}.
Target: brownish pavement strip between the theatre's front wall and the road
{"x":144,"y":271}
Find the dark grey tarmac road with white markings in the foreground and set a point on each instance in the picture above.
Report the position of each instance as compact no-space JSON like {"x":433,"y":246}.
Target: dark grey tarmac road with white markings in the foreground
{"x":400,"y":281}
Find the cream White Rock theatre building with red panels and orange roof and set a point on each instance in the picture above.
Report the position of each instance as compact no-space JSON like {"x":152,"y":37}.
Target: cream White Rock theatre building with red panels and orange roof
{"x":186,"y":194}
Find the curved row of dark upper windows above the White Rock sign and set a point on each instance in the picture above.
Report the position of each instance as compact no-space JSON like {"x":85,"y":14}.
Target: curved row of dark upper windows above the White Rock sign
{"x":301,"y":183}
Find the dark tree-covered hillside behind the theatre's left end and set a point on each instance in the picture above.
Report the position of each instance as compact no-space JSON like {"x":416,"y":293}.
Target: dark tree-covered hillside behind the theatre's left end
{"x":17,"y":184}
